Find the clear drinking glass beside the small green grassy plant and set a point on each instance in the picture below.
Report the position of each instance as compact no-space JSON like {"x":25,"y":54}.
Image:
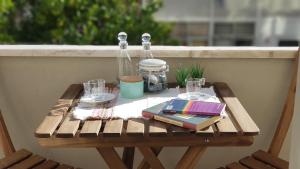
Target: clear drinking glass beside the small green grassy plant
{"x":193,"y":87}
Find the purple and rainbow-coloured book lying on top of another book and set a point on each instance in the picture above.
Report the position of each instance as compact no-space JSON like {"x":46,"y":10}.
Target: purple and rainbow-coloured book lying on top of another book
{"x":194,"y":107}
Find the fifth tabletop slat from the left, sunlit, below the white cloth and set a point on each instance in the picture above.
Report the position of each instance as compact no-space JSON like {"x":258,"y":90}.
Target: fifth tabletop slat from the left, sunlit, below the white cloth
{"x":135,"y":127}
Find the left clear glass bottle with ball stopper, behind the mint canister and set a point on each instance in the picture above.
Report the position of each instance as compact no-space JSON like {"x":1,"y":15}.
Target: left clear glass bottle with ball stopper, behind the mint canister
{"x":124,"y":61}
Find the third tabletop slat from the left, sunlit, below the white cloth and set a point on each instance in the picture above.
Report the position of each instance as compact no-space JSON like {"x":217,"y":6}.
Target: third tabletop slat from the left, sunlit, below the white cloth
{"x":91,"y":128}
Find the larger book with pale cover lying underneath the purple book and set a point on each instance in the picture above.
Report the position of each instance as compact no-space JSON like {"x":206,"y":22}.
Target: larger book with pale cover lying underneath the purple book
{"x":183,"y":120}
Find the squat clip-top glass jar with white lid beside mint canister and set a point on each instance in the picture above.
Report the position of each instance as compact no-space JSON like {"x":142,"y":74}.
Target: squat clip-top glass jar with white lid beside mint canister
{"x":154,"y":73}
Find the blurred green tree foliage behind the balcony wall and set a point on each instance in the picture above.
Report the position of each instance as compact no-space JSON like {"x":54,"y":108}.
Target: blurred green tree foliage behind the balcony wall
{"x":94,"y":22}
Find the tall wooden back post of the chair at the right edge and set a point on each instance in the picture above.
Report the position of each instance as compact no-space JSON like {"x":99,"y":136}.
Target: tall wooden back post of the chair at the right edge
{"x":287,"y":113}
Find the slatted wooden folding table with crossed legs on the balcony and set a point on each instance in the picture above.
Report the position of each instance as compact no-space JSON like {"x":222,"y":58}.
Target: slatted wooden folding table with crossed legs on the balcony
{"x":146,"y":135}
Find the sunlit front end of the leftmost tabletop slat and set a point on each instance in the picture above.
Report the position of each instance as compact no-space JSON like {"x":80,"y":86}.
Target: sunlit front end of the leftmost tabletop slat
{"x":48,"y":126}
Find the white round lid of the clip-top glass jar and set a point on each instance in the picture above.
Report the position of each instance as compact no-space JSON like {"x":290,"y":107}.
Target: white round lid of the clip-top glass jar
{"x":152,"y":64}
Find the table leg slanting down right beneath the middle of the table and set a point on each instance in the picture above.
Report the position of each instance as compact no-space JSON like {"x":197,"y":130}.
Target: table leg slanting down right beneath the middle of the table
{"x":151,"y":158}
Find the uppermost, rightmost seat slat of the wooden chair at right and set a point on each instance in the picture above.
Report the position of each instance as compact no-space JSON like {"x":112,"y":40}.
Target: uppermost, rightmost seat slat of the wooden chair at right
{"x":271,"y":160}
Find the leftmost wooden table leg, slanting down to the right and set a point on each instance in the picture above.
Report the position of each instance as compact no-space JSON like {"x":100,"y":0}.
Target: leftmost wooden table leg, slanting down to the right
{"x":111,"y":157}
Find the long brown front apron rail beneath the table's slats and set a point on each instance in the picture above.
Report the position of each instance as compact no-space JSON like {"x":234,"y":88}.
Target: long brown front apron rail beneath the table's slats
{"x":180,"y":140}
